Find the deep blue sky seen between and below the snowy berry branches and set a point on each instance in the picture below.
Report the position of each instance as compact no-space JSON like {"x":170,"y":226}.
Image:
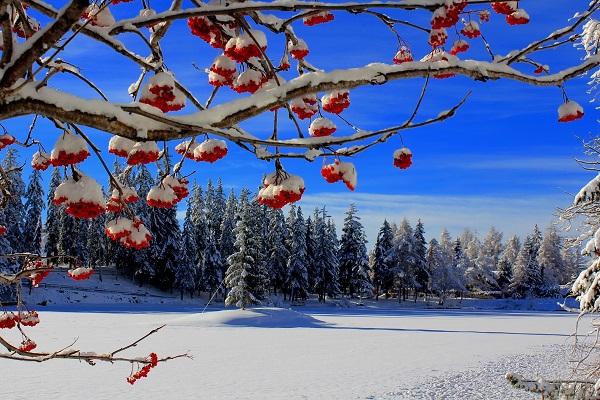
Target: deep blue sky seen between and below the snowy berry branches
{"x":503,"y":160}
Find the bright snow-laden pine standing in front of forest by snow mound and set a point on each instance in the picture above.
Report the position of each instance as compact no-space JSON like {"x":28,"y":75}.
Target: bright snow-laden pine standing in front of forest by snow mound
{"x":242,"y":278}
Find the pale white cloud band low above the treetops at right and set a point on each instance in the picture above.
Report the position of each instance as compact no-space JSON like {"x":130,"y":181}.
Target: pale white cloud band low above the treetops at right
{"x":512,"y":215}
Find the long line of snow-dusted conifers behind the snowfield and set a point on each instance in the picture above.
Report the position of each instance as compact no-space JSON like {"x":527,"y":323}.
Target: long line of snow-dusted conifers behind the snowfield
{"x":244,"y":252}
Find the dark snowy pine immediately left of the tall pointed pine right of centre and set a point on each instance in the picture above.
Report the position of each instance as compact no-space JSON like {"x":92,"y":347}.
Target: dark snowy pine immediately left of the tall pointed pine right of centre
{"x":326,"y":260}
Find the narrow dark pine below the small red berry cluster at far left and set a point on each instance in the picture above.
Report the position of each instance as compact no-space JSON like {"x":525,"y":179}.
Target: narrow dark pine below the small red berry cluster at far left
{"x":34,"y":205}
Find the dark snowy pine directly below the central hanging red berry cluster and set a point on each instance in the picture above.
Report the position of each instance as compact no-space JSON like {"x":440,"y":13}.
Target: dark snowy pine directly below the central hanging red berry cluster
{"x":278,"y":254}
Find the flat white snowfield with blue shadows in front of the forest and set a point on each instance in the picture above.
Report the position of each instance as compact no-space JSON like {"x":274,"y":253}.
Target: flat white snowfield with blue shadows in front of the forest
{"x":306,"y":353}
